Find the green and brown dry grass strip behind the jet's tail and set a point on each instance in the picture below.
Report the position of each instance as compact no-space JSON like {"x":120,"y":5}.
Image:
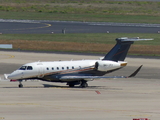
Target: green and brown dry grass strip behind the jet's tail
{"x":87,"y":43}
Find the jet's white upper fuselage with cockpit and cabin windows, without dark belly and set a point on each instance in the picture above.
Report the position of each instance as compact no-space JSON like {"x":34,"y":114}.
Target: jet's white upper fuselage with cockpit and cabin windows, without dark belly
{"x":43,"y":69}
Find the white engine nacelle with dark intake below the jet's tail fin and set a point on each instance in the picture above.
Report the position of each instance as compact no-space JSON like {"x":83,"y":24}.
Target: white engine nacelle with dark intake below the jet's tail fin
{"x":106,"y":65}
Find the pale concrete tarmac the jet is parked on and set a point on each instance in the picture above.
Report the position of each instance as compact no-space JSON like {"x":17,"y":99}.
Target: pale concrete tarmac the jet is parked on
{"x":104,"y":99}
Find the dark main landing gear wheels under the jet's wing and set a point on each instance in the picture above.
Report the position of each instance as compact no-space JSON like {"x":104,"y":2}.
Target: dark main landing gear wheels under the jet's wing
{"x":83,"y":83}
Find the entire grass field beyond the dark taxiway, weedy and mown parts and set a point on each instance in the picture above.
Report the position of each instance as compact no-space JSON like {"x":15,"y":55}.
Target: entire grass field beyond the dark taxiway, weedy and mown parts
{"x":82,"y":10}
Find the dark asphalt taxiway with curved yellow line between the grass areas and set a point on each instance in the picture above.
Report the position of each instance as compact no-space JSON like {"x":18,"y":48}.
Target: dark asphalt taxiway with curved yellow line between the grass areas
{"x":48,"y":27}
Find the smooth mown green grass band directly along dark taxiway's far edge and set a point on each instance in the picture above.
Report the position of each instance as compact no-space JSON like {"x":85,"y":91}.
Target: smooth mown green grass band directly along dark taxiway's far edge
{"x":81,"y":17}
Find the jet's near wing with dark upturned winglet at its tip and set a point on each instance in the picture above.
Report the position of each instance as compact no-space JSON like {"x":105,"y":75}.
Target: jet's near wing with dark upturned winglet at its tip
{"x":97,"y":77}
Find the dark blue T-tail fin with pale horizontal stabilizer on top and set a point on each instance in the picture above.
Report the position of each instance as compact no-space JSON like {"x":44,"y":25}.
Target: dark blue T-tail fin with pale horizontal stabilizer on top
{"x":120,"y":50}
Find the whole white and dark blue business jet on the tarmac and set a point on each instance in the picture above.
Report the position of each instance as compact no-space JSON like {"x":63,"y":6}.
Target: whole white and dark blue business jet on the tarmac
{"x":77,"y":72}
